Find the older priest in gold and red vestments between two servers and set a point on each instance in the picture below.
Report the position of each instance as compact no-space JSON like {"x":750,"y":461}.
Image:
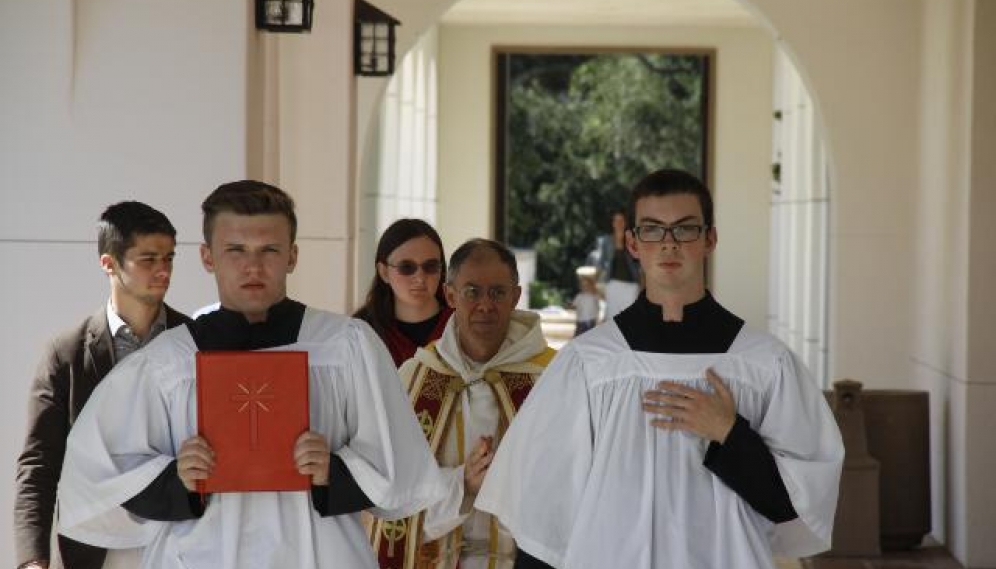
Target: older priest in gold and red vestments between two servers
{"x":466,"y":389}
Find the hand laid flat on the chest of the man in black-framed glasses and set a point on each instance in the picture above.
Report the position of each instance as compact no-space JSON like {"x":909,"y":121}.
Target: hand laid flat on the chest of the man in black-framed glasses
{"x":677,"y":407}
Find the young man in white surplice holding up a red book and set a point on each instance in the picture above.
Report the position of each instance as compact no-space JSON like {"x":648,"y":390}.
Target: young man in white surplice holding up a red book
{"x":134,"y":457}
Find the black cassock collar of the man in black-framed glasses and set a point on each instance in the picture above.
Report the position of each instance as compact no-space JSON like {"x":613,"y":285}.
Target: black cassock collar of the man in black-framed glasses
{"x":706,"y":327}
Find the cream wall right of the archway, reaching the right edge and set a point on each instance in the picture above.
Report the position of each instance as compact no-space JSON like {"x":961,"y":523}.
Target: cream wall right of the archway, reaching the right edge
{"x":905,"y":89}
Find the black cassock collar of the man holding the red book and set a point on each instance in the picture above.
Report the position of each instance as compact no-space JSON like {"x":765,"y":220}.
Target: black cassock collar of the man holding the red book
{"x":226,"y":329}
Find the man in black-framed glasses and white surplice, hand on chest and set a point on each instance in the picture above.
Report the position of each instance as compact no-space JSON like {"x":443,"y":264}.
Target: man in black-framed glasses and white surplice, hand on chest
{"x":670,"y":436}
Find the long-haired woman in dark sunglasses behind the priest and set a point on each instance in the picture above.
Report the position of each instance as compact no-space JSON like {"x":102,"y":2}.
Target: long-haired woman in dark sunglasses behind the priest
{"x":405,"y":304}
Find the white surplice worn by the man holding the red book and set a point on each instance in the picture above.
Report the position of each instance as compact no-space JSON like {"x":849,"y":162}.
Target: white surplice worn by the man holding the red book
{"x":140,"y":414}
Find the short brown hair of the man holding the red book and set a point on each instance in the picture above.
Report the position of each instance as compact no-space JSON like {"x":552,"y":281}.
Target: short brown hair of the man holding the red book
{"x":247,"y":197}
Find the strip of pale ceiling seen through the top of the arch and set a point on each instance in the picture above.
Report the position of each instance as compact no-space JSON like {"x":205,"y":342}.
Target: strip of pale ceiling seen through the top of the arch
{"x":600,"y":12}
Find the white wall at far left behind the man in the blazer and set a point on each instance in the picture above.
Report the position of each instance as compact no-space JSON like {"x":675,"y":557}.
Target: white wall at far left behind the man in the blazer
{"x":99,"y":102}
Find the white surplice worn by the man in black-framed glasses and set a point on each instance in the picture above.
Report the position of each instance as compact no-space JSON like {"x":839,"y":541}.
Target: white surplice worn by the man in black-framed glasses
{"x":583,"y":481}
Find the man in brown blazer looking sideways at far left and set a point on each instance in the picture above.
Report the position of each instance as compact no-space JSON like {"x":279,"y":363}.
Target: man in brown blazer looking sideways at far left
{"x":136,"y":246}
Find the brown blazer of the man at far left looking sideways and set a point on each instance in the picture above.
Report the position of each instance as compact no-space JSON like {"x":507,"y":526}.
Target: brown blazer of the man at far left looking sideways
{"x":73,"y":364}
